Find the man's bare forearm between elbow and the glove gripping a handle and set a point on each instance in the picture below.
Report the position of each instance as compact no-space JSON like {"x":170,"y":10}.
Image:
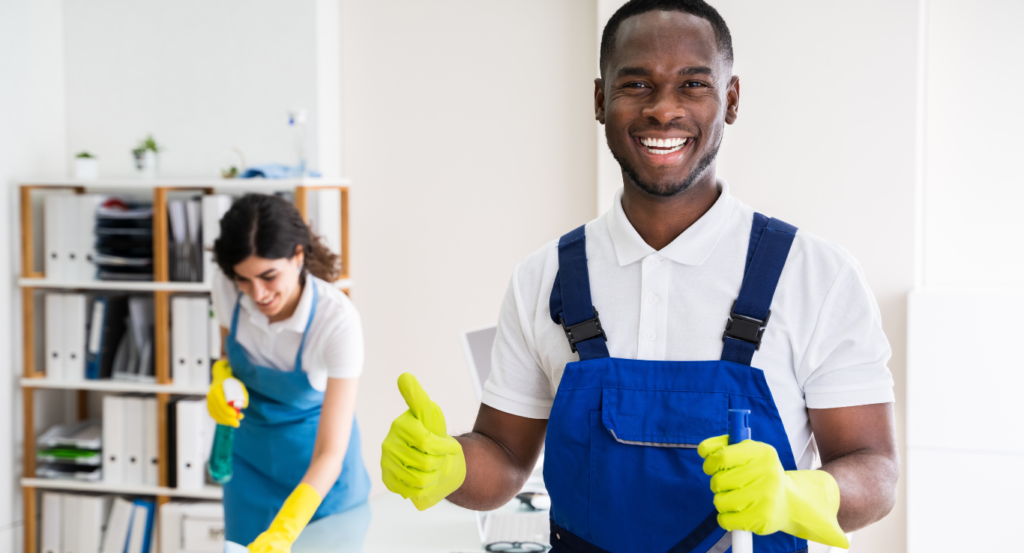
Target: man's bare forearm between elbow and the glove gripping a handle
{"x":868,"y":487}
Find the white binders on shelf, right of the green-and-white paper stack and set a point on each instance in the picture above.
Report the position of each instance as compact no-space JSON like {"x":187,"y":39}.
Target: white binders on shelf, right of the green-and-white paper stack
{"x":132,"y":454}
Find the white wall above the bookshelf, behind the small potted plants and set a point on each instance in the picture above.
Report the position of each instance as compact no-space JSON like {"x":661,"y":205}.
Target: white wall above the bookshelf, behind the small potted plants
{"x":202,"y":77}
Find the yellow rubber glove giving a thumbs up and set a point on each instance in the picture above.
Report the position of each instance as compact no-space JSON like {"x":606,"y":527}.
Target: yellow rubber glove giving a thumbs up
{"x":419,"y":460}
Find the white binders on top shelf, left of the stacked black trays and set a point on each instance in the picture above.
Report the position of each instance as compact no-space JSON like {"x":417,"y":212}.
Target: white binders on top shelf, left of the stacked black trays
{"x":69,"y":224}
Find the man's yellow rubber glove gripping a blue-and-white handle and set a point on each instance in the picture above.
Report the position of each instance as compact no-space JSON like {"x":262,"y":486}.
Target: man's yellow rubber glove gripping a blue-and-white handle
{"x":754,"y":493}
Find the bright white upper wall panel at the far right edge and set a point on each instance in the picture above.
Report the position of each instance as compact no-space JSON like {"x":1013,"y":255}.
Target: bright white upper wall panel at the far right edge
{"x":974,"y":188}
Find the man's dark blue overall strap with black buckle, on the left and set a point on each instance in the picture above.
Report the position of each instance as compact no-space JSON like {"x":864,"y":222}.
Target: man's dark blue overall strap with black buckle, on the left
{"x":571,"y":303}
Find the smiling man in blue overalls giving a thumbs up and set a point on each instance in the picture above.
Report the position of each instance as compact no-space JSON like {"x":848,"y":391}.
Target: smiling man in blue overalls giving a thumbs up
{"x":630,"y":339}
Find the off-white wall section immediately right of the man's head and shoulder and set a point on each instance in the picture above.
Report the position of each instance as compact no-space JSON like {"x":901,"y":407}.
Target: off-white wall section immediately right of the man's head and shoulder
{"x":826,"y":141}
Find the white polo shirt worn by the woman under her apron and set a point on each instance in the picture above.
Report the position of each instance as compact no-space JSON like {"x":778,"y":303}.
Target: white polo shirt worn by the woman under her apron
{"x":334,"y":346}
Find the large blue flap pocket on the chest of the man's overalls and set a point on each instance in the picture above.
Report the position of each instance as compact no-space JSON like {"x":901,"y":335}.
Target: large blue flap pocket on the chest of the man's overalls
{"x":648,"y":486}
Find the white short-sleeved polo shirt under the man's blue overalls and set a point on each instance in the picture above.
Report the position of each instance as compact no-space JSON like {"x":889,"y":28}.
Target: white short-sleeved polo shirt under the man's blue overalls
{"x":824,"y":347}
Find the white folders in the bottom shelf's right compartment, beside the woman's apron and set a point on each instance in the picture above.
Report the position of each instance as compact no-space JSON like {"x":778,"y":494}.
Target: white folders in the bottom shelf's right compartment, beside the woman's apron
{"x":192,"y":528}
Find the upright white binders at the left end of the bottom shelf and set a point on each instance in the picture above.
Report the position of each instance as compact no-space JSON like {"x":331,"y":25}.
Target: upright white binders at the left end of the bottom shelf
{"x":73,"y":524}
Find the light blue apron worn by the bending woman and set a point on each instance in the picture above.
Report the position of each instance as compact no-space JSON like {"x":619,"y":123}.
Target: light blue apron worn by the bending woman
{"x":275,"y":444}
